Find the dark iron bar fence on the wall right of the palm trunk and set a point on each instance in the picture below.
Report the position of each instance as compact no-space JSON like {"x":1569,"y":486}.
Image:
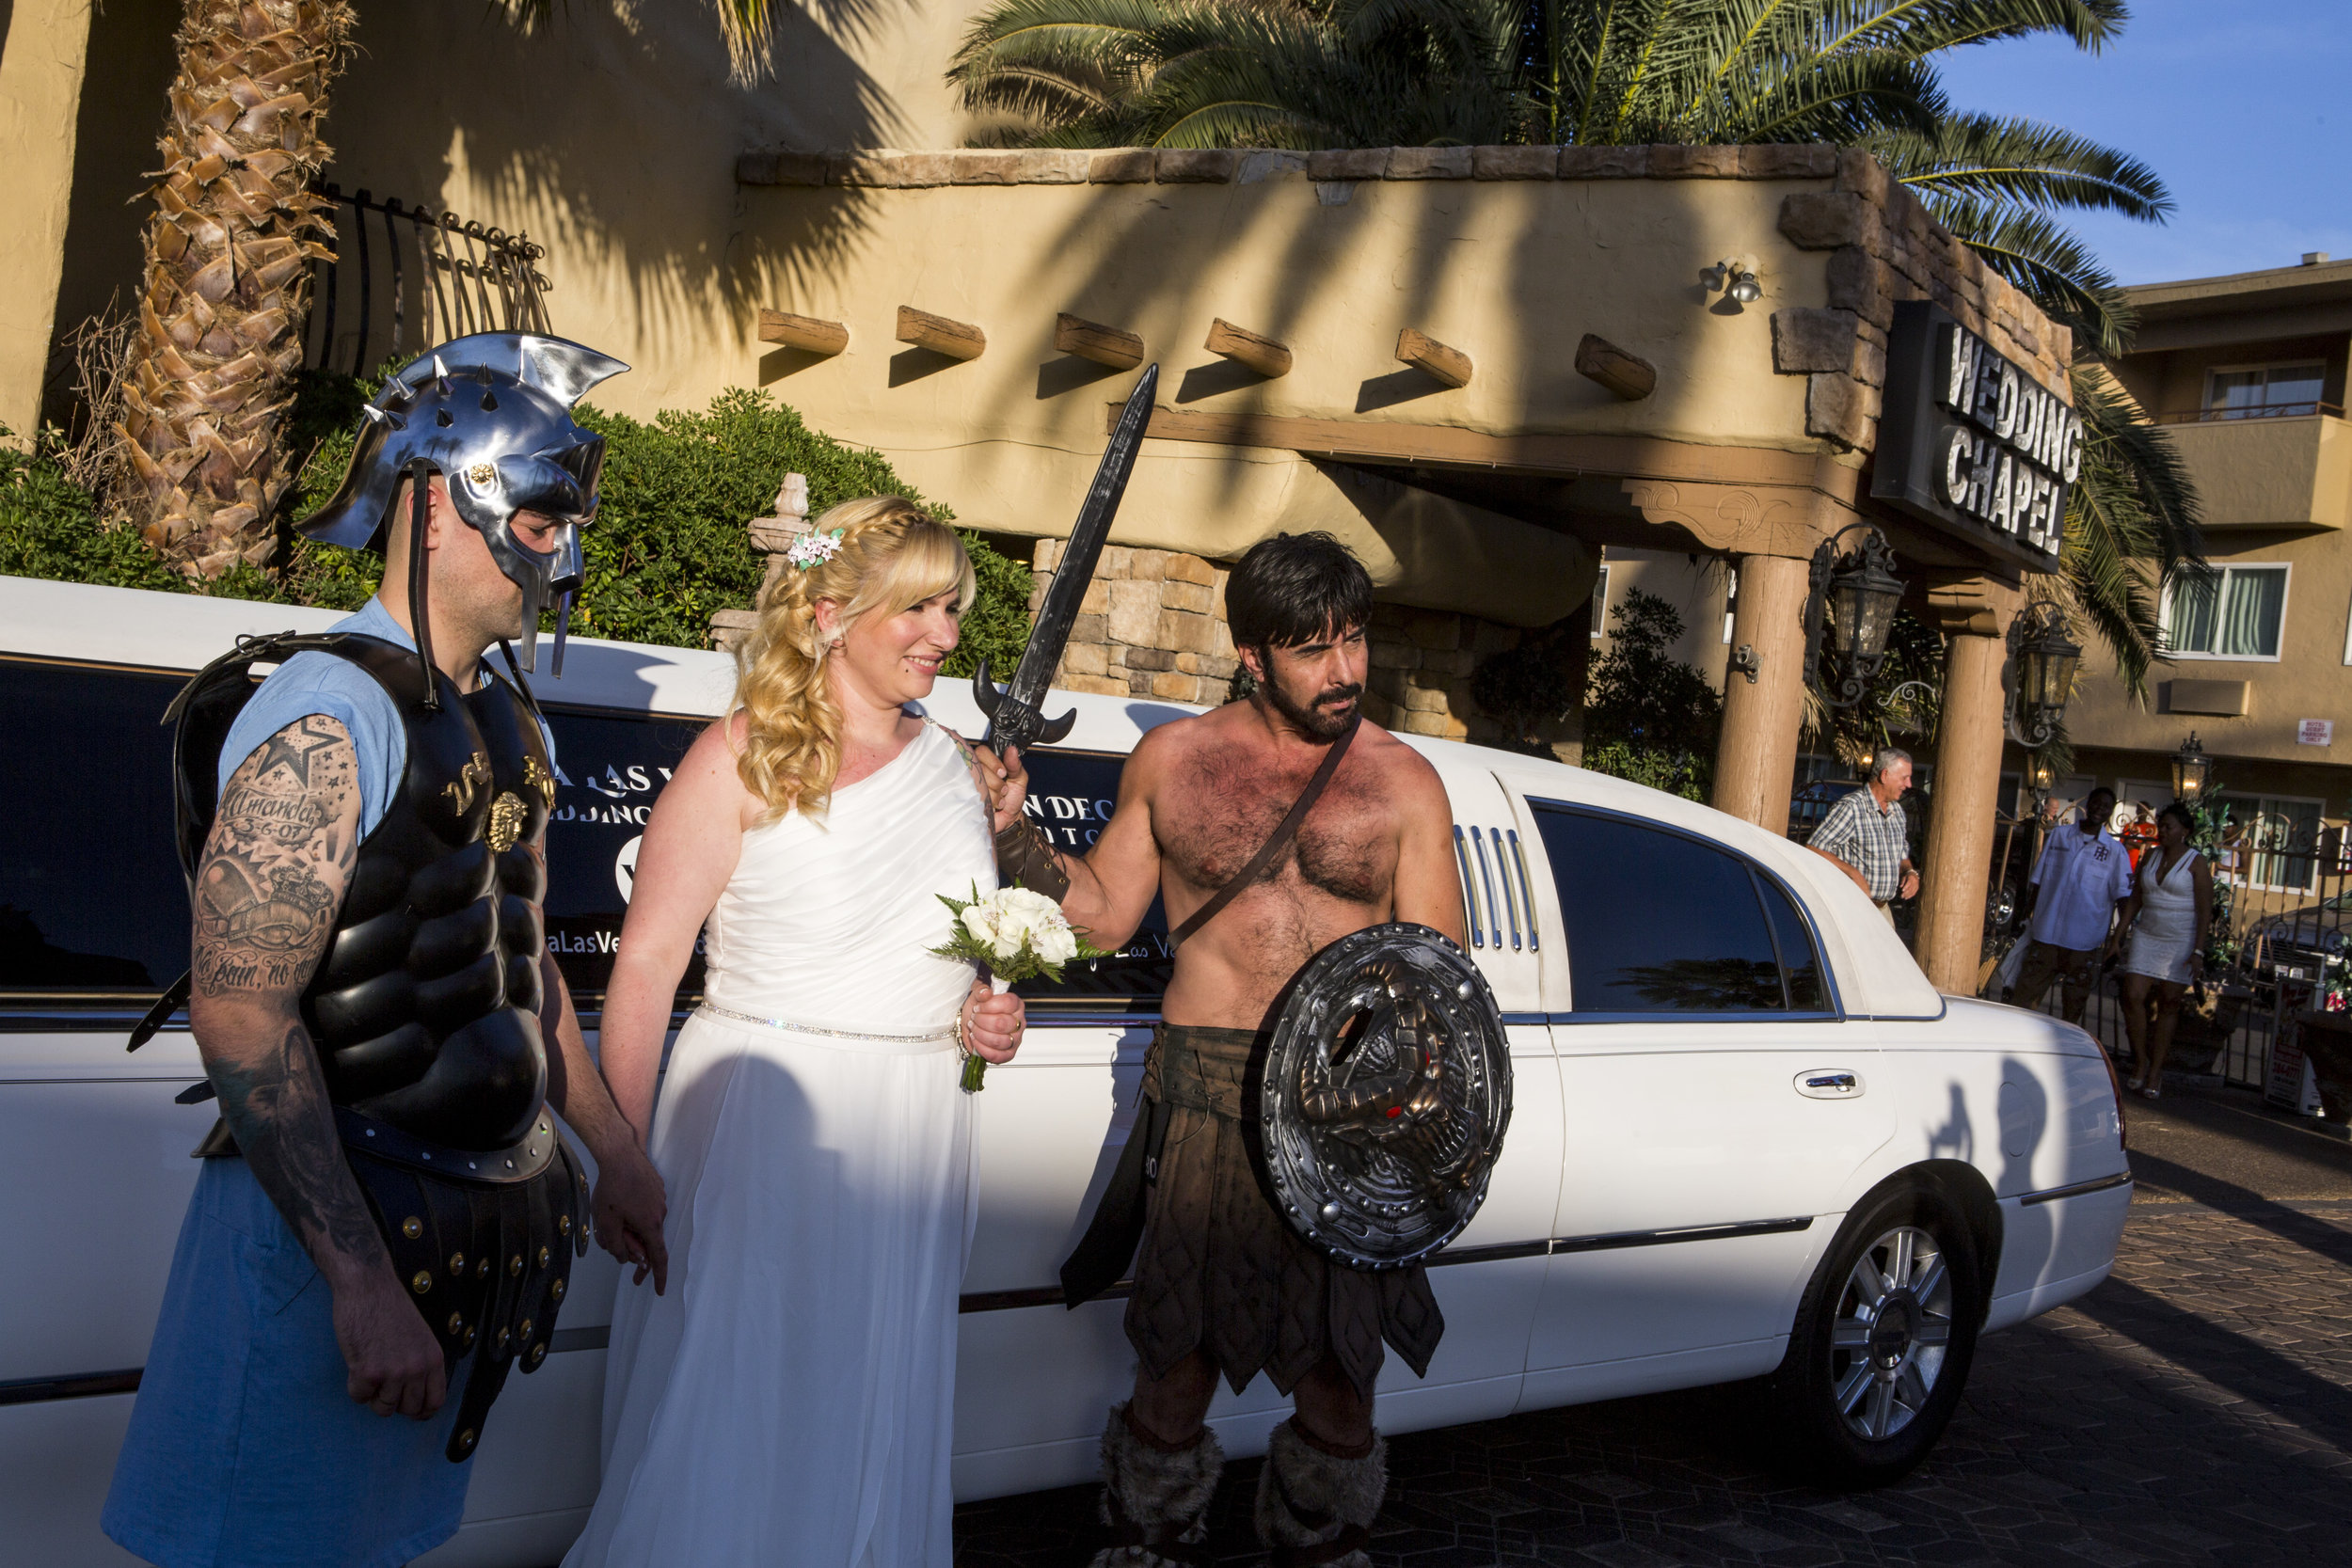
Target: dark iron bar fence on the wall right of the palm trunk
{"x":406,"y":279}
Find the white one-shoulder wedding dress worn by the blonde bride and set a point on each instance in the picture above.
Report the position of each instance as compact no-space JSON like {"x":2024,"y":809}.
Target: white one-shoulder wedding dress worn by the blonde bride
{"x":789,"y":1402}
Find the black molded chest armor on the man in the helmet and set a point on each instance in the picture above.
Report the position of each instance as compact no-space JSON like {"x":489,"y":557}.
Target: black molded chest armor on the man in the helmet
{"x":427,"y":1000}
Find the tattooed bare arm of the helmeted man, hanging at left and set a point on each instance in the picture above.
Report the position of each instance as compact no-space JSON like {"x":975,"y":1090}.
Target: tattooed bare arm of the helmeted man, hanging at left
{"x":267,"y":892}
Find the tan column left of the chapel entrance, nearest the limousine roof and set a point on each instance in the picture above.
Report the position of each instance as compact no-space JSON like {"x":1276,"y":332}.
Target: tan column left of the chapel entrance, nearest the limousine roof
{"x":1756,"y":756}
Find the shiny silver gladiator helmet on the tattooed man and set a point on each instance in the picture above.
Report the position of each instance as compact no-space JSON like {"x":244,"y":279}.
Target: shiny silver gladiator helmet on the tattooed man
{"x":493,"y":415}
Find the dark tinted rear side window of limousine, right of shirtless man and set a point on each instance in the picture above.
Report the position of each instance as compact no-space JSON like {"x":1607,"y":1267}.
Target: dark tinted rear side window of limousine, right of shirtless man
{"x":1662,"y":923}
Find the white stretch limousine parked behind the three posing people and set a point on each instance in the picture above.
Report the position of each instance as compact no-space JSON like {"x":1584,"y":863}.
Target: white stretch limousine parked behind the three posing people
{"x":1749,"y":1137}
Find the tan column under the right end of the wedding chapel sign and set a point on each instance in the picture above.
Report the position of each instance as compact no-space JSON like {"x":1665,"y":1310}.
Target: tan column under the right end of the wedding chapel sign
{"x":1953,"y":883}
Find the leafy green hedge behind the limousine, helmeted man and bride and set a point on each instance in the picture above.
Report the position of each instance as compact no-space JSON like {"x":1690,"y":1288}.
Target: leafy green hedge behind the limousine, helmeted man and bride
{"x":667,"y":551}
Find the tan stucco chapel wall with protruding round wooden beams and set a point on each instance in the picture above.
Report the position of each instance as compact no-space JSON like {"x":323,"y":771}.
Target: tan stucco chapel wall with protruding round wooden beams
{"x":1509,"y":272}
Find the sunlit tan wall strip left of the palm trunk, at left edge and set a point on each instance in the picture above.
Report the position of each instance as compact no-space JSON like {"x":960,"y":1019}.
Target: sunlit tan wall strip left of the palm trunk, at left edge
{"x":41,"y":88}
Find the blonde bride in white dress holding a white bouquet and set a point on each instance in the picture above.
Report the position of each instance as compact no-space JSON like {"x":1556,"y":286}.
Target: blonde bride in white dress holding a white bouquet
{"x":794,"y":1400}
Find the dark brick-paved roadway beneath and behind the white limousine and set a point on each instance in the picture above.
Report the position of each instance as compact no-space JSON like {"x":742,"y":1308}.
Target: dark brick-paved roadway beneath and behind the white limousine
{"x":2196,"y":1409}
